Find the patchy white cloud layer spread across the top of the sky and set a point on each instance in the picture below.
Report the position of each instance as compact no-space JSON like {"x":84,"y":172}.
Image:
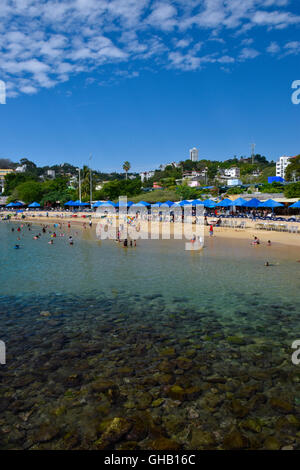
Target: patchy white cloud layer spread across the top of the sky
{"x":45,"y":42}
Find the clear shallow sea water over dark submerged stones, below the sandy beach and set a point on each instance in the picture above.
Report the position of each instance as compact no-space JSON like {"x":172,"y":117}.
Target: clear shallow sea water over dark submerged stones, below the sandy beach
{"x":153,"y":322}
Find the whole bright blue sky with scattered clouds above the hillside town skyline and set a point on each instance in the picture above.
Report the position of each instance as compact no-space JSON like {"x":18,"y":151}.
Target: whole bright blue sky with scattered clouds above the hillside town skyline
{"x":144,"y":80}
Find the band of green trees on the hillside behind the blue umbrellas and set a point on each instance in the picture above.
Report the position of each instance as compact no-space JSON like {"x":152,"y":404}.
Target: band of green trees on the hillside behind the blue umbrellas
{"x":35,"y":185}
